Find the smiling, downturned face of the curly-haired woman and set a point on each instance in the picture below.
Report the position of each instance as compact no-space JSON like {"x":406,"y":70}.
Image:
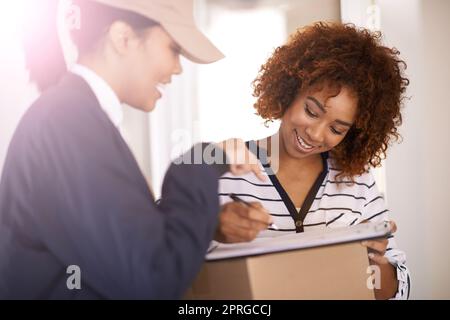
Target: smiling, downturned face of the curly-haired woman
{"x":317,"y":121}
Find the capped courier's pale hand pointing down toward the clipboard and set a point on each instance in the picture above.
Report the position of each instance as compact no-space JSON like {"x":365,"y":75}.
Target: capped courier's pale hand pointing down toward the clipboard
{"x":242,"y":161}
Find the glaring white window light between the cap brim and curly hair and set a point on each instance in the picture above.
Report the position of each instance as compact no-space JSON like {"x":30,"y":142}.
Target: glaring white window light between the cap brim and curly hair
{"x":248,"y":38}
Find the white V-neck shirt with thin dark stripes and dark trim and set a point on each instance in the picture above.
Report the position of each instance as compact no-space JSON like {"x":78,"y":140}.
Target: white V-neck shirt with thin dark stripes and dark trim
{"x":329,"y":204}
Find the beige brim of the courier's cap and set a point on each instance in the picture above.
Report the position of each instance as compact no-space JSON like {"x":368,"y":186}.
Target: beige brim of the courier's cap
{"x":194,"y":44}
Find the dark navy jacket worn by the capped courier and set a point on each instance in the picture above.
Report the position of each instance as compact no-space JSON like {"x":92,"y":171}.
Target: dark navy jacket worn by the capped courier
{"x":71,"y":193}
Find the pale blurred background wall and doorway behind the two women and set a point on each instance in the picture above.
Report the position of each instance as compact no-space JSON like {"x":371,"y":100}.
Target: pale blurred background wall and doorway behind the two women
{"x":214,"y":102}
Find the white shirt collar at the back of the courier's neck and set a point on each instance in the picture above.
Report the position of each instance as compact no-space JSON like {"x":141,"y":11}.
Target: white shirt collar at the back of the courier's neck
{"x":109,"y":102}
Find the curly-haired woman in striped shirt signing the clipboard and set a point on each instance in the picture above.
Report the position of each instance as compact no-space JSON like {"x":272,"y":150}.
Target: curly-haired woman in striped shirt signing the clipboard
{"x":338,"y":93}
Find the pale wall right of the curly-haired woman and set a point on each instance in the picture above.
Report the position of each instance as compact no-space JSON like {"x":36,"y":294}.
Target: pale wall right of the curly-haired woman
{"x":417,"y":173}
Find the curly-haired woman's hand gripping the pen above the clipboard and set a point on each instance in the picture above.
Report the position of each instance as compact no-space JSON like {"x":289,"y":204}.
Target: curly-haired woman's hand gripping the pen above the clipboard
{"x":241,"y":223}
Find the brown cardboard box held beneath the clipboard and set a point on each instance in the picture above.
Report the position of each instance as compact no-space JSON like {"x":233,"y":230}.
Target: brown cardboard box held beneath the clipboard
{"x":331,"y":272}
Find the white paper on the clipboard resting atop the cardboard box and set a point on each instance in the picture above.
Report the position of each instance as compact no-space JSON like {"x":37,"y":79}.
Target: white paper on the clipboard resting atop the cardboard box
{"x":303,"y":240}
